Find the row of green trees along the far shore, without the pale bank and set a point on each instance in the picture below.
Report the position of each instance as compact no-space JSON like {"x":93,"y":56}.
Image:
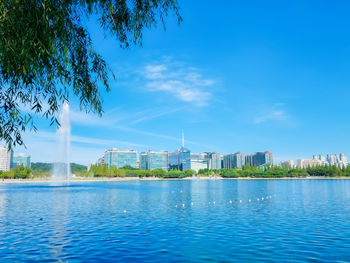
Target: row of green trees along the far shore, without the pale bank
{"x":43,"y":170}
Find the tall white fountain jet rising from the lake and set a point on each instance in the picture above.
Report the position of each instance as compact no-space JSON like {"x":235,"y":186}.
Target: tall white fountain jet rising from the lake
{"x":61,"y":168}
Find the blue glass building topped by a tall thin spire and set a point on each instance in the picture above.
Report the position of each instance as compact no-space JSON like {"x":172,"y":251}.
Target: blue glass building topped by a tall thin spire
{"x":180,"y":159}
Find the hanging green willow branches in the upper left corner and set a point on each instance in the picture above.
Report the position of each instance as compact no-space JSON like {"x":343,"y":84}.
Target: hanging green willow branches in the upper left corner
{"x":46,"y":53}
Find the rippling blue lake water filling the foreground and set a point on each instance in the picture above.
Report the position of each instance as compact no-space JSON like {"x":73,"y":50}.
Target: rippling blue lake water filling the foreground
{"x":162,"y":221}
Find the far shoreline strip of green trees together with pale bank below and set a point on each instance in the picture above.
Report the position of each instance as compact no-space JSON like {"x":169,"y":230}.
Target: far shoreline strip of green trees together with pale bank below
{"x":42,"y":171}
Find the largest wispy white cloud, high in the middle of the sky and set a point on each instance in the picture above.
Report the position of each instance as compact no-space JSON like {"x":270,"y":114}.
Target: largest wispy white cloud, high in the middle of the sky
{"x":184,"y":83}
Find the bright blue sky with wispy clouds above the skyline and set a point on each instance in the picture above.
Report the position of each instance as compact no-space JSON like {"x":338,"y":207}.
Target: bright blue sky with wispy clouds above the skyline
{"x":235,"y":75}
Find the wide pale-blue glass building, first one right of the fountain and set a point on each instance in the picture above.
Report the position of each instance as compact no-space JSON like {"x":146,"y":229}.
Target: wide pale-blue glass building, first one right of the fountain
{"x":120,"y":158}
